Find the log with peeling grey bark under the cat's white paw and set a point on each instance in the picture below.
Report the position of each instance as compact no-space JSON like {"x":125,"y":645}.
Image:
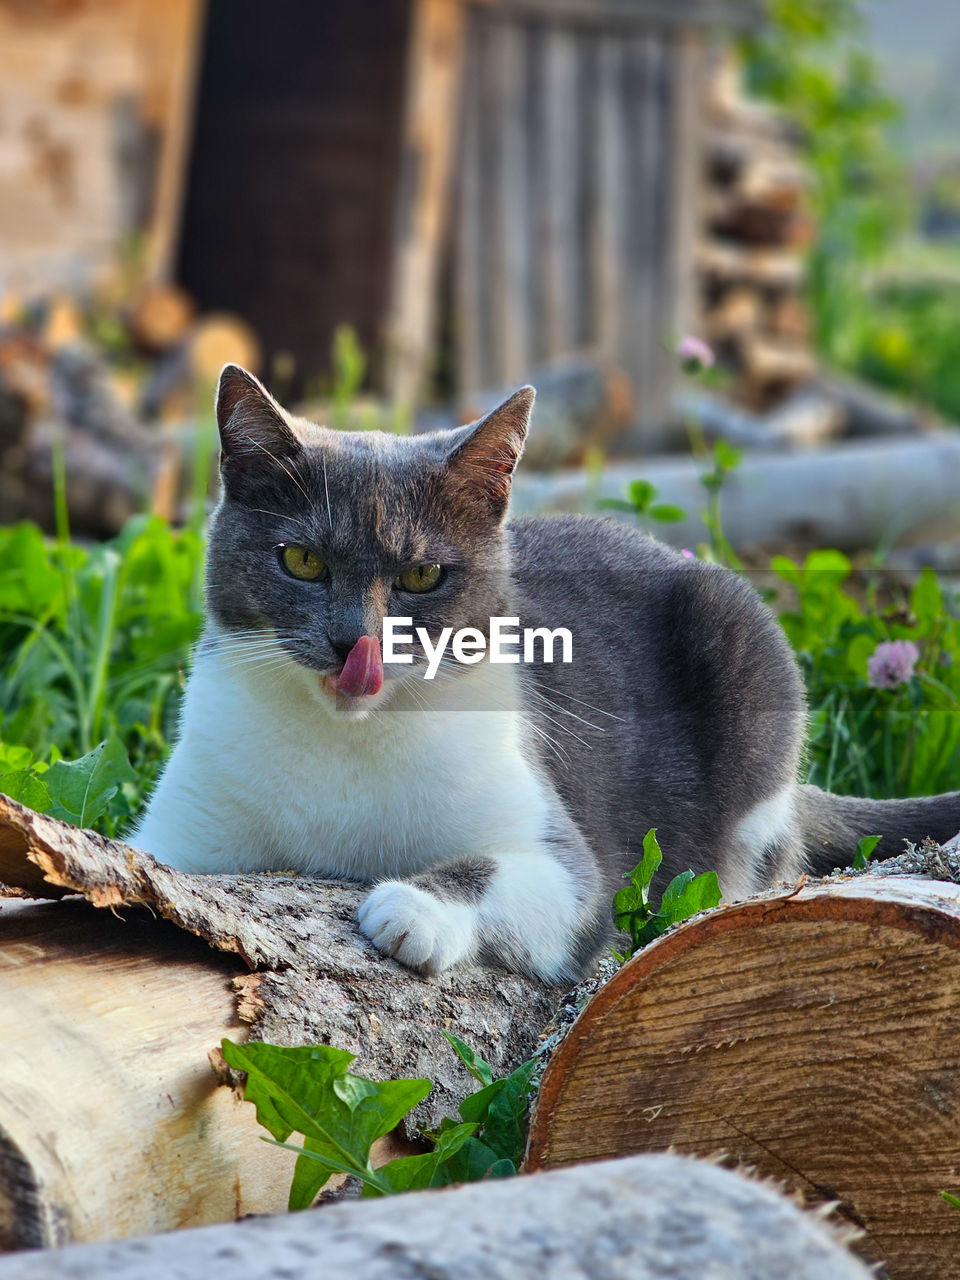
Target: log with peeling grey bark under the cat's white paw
{"x":112,"y":1121}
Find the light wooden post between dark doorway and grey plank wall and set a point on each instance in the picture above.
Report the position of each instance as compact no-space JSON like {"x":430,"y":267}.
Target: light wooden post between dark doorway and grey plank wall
{"x":435,"y":67}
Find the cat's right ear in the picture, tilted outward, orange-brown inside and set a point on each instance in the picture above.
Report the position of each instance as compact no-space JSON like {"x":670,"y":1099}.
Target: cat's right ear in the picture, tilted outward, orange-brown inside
{"x":486,"y":454}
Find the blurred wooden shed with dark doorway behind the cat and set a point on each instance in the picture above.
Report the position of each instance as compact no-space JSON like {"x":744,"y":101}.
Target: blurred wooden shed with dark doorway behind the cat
{"x":478,"y":188}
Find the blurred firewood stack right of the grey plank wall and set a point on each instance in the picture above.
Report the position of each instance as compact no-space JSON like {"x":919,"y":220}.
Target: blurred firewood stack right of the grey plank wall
{"x":757,"y":230}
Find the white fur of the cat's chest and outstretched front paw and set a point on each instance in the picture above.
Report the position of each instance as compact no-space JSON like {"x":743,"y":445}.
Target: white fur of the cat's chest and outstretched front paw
{"x":272,"y":772}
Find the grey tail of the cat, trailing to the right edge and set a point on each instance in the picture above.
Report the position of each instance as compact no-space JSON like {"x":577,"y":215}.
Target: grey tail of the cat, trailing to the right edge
{"x":831,"y":826}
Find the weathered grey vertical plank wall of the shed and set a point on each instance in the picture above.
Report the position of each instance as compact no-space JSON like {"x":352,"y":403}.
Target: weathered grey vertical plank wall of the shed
{"x":577,"y":195}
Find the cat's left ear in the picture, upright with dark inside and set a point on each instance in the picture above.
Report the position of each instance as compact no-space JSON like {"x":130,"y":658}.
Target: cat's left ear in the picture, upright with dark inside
{"x":253,"y":426}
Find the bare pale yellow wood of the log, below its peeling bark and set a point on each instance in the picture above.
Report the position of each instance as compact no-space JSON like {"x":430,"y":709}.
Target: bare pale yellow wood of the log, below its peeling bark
{"x":112,"y":1122}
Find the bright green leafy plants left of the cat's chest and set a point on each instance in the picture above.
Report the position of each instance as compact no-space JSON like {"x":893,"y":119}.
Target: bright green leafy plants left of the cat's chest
{"x":95,"y":642}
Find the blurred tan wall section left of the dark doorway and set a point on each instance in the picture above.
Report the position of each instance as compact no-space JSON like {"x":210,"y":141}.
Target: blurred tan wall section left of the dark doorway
{"x":94,"y":99}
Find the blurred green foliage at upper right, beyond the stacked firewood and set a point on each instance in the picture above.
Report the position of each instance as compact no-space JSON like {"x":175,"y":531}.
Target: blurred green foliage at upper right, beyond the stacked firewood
{"x":902,"y":333}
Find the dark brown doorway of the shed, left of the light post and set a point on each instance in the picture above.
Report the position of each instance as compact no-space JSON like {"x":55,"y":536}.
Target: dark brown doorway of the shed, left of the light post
{"x":292,"y":180}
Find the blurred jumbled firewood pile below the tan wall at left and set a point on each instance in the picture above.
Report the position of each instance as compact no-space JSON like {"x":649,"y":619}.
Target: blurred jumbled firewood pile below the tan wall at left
{"x":115,"y":382}
